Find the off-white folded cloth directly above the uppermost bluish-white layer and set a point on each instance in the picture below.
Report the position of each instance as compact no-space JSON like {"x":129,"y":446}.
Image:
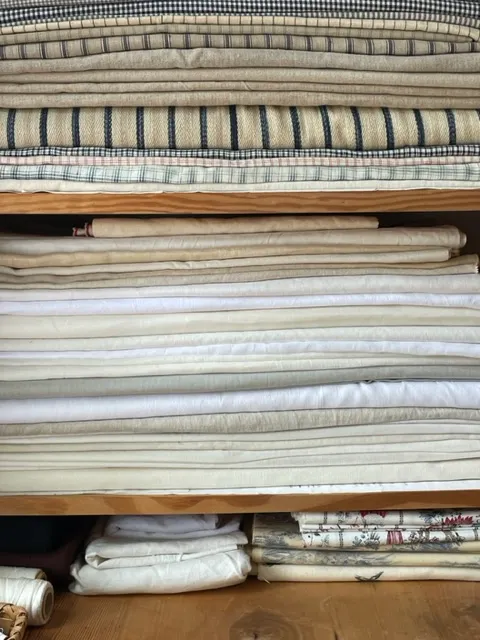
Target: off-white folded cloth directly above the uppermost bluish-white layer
{"x":299,"y":286}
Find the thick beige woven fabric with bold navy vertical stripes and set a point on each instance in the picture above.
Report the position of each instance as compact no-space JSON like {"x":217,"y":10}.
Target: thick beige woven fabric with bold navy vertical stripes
{"x":238,"y":128}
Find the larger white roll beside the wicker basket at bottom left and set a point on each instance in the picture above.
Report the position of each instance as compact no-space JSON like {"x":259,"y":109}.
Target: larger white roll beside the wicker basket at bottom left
{"x":35,"y":596}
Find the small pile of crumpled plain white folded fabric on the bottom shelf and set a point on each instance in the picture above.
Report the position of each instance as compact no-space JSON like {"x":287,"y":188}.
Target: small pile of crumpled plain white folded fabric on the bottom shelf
{"x":162,"y":554}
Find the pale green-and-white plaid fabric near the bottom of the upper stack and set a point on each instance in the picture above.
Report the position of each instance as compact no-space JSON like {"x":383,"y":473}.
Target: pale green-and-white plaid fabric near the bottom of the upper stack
{"x":251,"y":175}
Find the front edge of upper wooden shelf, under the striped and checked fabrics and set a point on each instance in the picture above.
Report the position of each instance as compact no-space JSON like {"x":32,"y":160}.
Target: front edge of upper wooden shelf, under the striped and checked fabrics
{"x":218,"y":203}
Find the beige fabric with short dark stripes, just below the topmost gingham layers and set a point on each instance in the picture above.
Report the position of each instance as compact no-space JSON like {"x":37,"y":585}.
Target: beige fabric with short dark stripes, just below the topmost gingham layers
{"x":362,"y":46}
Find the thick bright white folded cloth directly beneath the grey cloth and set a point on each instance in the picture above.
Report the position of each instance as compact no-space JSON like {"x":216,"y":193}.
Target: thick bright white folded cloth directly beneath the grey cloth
{"x":460,"y":394}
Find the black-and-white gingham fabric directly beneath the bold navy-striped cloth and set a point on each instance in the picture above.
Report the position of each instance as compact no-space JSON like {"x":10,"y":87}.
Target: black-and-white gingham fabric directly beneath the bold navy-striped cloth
{"x":464,"y":150}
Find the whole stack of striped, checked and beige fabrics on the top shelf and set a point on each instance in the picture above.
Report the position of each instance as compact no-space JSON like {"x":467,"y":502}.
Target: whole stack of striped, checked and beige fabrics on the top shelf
{"x":249,"y":95}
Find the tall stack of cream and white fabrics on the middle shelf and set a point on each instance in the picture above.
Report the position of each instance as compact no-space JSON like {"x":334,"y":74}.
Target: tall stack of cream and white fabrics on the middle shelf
{"x":237,"y":353}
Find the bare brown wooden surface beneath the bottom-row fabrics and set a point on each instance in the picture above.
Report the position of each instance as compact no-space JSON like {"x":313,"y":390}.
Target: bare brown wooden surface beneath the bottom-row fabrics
{"x":281,"y":611}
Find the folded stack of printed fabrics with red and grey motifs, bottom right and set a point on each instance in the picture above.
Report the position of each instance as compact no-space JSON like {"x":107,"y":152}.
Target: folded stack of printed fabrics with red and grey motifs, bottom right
{"x":367,"y":546}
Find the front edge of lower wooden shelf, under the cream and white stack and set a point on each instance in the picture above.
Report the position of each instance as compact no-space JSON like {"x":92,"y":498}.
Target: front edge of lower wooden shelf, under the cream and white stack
{"x":105,"y":504}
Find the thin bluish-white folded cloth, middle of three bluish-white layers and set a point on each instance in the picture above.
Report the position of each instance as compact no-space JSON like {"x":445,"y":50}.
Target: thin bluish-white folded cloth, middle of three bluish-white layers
{"x":458,"y":349}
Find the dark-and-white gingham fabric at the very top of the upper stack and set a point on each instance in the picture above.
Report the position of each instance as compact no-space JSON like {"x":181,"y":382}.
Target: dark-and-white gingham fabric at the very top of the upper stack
{"x":457,"y":10}
